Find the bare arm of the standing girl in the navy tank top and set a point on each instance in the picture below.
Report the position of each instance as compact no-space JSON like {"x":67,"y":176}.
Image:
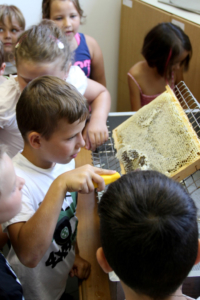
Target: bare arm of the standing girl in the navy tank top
{"x":97,"y":64}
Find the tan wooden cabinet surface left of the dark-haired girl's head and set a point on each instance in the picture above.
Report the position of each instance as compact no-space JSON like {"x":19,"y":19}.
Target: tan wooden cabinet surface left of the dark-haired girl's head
{"x":135,"y":23}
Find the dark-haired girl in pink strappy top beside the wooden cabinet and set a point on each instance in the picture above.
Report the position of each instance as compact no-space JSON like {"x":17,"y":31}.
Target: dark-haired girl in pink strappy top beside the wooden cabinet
{"x":167,"y":51}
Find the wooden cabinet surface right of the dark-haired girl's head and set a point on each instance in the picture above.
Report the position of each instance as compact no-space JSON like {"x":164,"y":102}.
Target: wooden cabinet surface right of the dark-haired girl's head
{"x":192,"y":76}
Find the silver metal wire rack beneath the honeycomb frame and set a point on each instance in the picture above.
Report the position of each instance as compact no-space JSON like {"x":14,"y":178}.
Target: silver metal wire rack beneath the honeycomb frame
{"x":104,"y":156}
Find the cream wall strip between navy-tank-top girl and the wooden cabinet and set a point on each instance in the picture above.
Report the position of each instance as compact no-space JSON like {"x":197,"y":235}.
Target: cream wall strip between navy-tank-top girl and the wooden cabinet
{"x":103,"y":23}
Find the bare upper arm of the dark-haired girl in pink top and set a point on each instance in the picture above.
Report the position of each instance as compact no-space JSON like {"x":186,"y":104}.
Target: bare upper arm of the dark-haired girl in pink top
{"x":134,"y":95}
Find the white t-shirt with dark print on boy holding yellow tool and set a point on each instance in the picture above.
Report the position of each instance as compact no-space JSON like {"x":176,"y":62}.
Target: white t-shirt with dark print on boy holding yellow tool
{"x":47,"y":281}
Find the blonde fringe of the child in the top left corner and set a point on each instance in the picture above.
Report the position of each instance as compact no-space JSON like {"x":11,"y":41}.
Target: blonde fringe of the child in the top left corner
{"x":11,"y":11}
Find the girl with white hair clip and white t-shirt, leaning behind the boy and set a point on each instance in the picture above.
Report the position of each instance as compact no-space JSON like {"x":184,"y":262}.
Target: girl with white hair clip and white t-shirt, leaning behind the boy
{"x":44,"y":50}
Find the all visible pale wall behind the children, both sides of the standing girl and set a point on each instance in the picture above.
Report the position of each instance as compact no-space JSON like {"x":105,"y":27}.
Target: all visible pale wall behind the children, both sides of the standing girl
{"x":102,"y":23}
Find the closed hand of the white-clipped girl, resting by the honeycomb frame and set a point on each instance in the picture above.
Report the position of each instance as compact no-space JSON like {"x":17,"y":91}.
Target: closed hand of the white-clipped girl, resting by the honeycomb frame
{"x":95,"y":134}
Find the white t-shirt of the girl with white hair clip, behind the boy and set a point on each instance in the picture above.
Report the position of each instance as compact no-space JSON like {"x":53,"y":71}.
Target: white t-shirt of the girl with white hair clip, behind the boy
{"x":9,"y":95}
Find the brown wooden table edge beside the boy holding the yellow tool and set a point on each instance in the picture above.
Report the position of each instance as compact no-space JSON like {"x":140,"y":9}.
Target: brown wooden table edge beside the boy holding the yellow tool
{"x":96,"y":287}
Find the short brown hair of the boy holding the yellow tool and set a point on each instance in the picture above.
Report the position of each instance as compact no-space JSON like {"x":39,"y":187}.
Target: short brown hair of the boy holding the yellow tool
{"x":45,"y":101}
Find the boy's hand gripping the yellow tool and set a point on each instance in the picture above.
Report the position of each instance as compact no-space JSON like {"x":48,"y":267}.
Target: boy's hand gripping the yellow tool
{"x":81,"y":179}
